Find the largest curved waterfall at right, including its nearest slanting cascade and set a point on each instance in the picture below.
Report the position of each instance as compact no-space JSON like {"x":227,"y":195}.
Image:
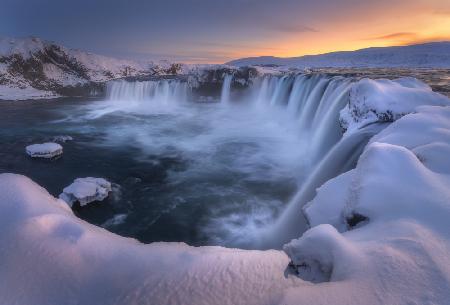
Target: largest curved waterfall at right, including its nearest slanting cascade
{"x":314,"y":102}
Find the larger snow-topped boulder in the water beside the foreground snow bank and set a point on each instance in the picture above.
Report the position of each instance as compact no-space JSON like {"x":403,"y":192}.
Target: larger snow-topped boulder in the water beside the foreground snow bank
{"x":86,"y":190}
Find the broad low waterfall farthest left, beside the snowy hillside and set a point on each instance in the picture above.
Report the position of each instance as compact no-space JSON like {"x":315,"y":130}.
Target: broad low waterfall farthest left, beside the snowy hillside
{"x":161,"y":92}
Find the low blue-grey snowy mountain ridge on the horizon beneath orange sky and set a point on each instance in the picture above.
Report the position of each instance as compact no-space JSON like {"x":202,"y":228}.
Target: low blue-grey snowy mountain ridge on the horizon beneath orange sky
{"x":427,"y":55}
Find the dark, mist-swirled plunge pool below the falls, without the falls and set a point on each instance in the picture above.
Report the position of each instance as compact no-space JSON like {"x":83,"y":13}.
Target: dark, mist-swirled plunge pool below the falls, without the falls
{"x":198,"y":173}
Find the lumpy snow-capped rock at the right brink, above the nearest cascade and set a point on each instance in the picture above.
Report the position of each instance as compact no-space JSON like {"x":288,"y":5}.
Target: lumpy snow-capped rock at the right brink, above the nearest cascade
{"x":384,"y":100}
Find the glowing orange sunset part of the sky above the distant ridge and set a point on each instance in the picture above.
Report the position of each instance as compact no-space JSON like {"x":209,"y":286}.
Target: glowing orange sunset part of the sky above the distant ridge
{"x":421,"y":23}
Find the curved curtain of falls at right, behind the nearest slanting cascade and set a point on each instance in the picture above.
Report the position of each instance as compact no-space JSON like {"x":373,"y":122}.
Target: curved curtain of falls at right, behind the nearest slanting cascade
{"x":313,"y":101}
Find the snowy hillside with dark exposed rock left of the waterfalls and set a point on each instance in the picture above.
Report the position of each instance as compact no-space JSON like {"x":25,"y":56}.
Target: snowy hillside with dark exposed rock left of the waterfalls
{"x":34,"y":68}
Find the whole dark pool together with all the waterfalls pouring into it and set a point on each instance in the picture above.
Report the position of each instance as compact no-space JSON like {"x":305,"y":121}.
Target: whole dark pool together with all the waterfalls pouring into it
{"x":187,"y":171}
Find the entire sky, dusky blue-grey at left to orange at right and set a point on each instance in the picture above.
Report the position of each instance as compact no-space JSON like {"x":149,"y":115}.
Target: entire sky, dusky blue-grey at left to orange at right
{"x":213,"y":31}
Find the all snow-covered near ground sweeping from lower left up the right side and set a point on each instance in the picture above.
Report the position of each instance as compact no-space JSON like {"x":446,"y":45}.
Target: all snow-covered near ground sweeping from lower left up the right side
{"x":379,"y":235}
